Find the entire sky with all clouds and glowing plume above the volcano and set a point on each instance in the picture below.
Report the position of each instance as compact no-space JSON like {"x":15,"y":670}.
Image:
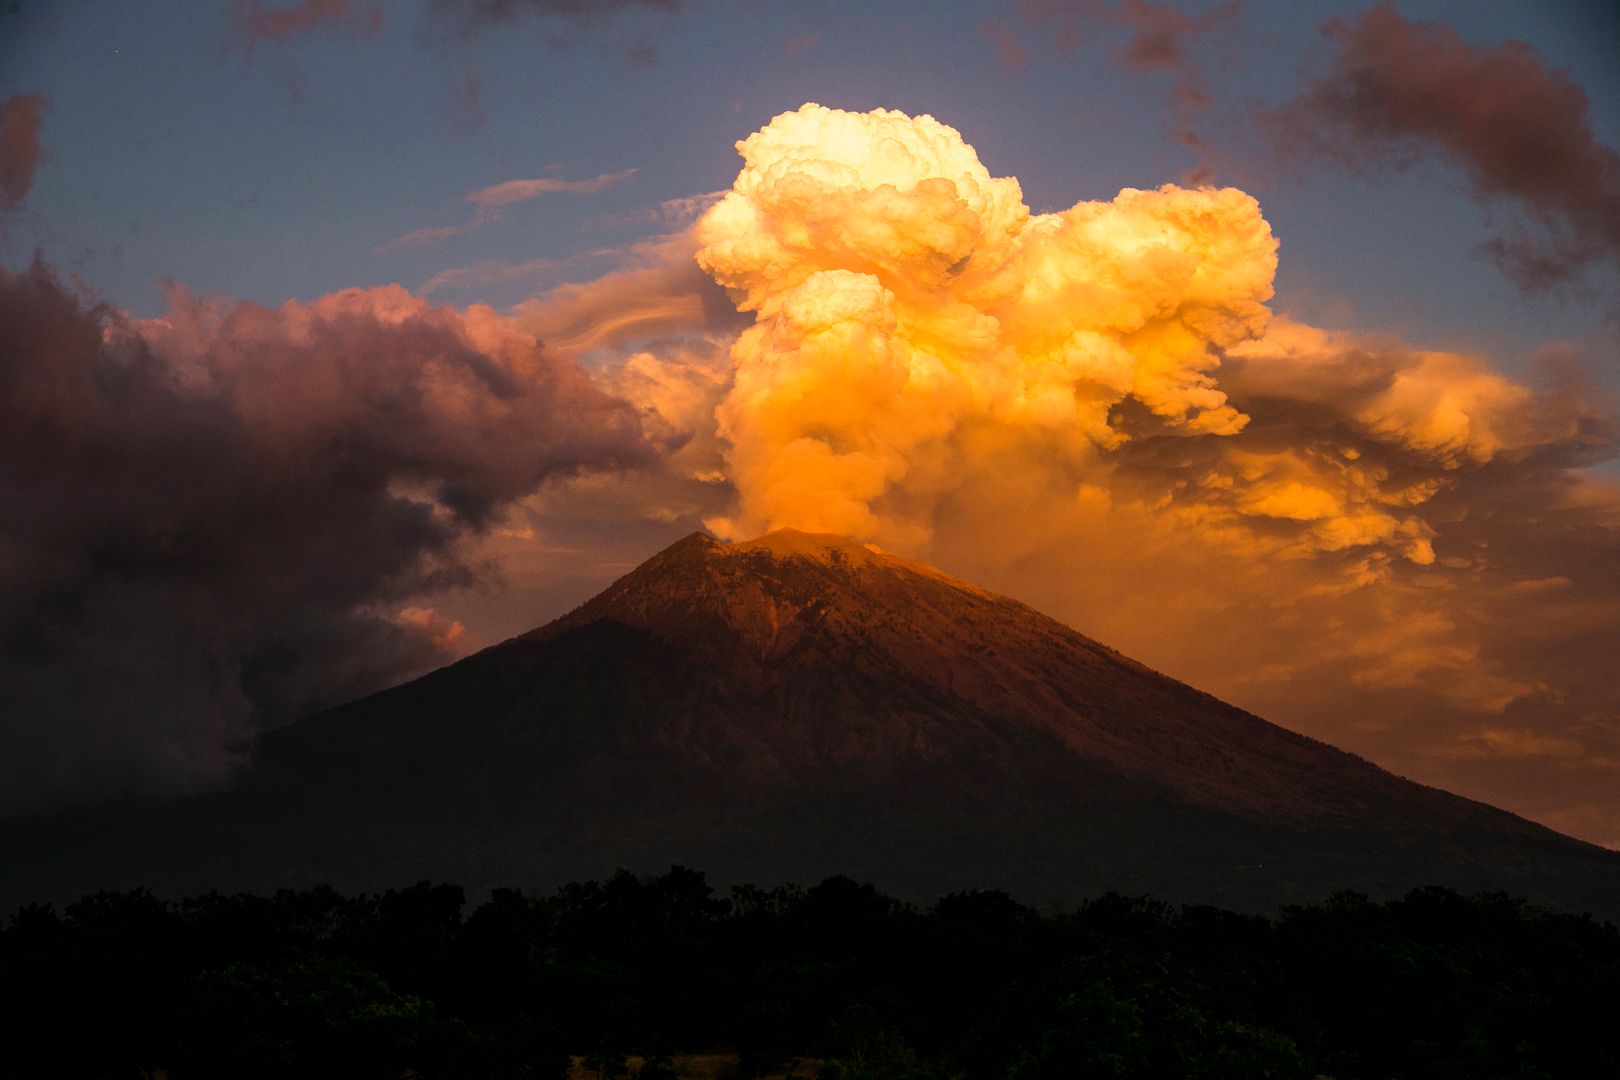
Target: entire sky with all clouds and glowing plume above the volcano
{"x":341,"y":339}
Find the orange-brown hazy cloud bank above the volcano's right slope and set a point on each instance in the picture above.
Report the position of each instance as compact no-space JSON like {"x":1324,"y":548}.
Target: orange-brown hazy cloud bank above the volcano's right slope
{"x":1402,"y":553}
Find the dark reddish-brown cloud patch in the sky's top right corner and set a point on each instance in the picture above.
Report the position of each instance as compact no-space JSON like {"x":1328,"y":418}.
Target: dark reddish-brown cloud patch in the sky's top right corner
{"x":1397,"y":91}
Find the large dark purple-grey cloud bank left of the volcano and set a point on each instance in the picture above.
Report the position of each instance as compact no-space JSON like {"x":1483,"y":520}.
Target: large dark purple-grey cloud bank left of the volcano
{"x":224,"y":519}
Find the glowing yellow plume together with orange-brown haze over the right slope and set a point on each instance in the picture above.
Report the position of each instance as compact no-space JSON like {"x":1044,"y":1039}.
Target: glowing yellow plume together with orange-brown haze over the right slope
{"x":1096,"y":410}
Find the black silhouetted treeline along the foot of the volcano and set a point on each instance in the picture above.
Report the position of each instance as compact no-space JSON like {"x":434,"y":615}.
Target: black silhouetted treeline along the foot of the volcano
{"x":840,"y":976}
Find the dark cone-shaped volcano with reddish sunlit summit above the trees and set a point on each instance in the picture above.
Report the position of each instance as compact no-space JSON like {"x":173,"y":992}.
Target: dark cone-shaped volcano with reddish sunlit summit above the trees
{"x":804,"y":705}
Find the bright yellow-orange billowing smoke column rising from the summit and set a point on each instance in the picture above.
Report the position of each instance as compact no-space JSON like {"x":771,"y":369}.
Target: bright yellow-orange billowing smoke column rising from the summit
{"x":908,"y":305}
